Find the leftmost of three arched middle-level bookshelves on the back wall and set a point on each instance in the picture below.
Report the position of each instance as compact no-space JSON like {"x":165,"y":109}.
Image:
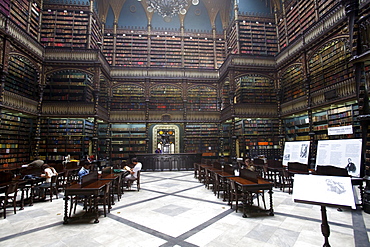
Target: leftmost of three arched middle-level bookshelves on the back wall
{"x":128,"y":97}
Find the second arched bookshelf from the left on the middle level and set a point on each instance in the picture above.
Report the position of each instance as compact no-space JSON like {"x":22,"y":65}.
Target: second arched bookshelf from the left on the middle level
{"x":69,"y":85}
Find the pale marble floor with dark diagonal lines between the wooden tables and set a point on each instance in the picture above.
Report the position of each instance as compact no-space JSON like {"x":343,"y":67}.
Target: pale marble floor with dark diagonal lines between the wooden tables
{"x":174,"y":209}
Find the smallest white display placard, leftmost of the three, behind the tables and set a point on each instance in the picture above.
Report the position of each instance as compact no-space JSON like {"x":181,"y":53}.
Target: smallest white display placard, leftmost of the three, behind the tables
{"x":296,"y":152}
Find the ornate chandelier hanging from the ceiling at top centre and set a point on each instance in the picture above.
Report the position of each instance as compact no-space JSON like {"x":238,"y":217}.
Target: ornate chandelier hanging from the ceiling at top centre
{"x":169,"y":8}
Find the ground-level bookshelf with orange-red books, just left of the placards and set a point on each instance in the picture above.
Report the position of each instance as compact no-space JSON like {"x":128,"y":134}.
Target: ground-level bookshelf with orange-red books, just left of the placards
{"x":258,"y":136}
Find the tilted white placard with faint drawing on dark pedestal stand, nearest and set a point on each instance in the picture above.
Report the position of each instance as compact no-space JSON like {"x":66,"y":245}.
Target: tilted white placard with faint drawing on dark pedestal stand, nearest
{"x":328,"y":190}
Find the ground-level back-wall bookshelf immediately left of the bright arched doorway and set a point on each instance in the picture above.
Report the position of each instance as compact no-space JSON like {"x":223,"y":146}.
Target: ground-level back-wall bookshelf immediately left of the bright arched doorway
{"x":127,"y":139}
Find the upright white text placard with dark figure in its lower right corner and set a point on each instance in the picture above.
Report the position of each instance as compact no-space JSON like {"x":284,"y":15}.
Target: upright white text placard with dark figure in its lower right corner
{"x":340,"y":153}
